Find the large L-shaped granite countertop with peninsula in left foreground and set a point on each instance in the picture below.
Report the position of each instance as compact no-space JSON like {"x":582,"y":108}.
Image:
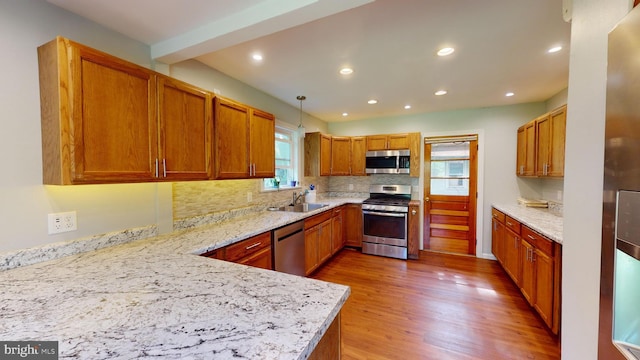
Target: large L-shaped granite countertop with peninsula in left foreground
{"x":155,"y":298}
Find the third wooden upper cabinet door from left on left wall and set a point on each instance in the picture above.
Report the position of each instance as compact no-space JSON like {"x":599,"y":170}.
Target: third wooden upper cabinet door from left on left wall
{"x":231,"y":144}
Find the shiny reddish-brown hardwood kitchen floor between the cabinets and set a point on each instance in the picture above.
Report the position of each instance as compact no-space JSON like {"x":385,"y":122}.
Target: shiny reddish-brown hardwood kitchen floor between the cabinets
{"x":438,"y":307}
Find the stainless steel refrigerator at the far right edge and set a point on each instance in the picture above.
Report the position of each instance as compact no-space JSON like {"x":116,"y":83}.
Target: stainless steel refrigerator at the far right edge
{"x":619,"y":329}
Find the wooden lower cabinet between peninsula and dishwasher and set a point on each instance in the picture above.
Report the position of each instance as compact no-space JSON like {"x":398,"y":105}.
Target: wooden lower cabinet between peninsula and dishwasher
{"x":255,"y":251}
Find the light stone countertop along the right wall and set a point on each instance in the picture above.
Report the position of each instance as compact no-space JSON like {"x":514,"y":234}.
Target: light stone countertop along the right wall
{"x":540,"y":220}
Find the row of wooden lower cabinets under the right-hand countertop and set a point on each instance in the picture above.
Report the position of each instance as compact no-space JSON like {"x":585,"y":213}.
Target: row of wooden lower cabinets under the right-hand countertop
{"x":534,"y":264}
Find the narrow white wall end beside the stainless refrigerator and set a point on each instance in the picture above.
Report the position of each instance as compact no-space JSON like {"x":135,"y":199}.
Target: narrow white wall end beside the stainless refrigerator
{"x":592,"y":21}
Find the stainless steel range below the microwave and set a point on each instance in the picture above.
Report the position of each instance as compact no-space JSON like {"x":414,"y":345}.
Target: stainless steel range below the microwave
{"x":385,"y":220}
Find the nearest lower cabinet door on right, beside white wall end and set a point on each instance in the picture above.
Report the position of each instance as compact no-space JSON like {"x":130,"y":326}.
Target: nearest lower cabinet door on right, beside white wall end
{"x":544,"y":286}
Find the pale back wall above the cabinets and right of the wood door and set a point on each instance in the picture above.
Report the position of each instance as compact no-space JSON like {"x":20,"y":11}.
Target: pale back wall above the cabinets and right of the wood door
{"x":499,"y":126}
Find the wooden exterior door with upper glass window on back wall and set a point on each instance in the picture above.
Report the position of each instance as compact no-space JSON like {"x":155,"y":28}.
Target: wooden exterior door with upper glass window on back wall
{"x":450,"y":195}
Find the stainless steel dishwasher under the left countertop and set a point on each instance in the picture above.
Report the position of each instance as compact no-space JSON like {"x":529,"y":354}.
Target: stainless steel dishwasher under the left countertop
{"x":289,"y":248}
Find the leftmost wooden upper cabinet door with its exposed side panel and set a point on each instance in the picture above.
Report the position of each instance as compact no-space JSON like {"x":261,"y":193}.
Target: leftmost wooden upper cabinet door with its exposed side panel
{"x":99,"y":121}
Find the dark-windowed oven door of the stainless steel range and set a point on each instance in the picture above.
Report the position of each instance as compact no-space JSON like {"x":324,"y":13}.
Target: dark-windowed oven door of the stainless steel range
{"x":385,"y":227}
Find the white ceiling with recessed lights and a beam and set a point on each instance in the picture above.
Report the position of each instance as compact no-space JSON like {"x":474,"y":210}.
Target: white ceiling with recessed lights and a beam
{"x":500,"y":46}
